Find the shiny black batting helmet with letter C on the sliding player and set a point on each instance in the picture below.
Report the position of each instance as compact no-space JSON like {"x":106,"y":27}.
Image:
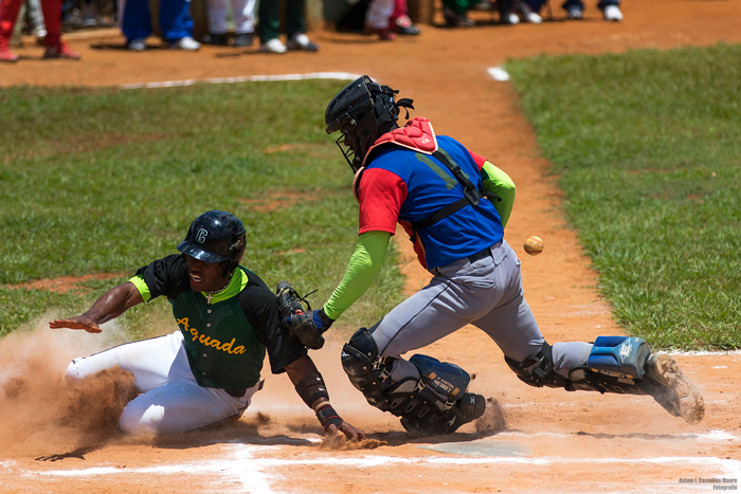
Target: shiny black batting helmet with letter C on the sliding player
{"x":216,"y":236}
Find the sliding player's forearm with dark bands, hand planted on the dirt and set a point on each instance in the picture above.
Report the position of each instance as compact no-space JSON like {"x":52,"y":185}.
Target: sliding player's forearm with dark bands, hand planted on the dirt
{"x":310,"y":387}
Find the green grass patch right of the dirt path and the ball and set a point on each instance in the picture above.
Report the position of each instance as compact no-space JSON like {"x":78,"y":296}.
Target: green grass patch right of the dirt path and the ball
{"x":647,"y":148}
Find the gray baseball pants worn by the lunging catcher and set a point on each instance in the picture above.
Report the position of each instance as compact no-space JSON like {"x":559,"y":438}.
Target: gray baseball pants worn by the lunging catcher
{"x":486,"y":293}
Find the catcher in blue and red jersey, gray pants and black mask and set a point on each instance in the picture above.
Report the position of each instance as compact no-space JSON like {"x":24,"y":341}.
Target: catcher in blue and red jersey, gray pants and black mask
{"x":454,"y":205}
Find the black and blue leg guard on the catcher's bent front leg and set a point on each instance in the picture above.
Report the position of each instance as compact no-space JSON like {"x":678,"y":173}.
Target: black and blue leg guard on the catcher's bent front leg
{"x":435,"y":404}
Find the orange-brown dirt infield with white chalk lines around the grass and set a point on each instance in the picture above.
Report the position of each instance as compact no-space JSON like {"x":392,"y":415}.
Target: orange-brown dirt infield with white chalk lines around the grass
{"x":542,"y":440}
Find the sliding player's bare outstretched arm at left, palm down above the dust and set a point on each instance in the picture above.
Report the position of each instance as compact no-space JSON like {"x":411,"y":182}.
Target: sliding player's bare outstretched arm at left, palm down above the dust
{"x":110,"y":305}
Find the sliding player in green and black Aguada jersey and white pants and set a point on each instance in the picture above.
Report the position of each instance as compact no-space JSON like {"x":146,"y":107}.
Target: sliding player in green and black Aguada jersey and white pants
{"x":208,"y":370}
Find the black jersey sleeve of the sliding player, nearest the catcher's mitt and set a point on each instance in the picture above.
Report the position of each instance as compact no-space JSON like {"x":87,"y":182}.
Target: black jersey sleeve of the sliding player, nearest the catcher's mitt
{"x":260,"y":307}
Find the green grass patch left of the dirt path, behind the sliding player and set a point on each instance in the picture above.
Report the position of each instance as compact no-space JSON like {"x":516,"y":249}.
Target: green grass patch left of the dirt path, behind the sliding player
{"x":106,"y":180}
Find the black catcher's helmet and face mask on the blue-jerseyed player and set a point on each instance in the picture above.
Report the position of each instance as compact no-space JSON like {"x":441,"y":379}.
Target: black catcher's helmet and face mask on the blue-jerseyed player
{"x":363,"y":111}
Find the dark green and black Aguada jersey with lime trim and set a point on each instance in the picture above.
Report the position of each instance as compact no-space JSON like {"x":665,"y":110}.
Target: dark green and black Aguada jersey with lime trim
{"x":226,"y":338}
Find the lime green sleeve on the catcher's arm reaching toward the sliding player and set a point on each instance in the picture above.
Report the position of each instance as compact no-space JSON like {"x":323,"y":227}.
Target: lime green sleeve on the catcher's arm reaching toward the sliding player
{"x":364,"y":265}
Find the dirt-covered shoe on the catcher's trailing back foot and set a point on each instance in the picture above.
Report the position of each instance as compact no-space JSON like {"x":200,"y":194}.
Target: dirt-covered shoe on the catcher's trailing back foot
{"x":672,"y":390}
